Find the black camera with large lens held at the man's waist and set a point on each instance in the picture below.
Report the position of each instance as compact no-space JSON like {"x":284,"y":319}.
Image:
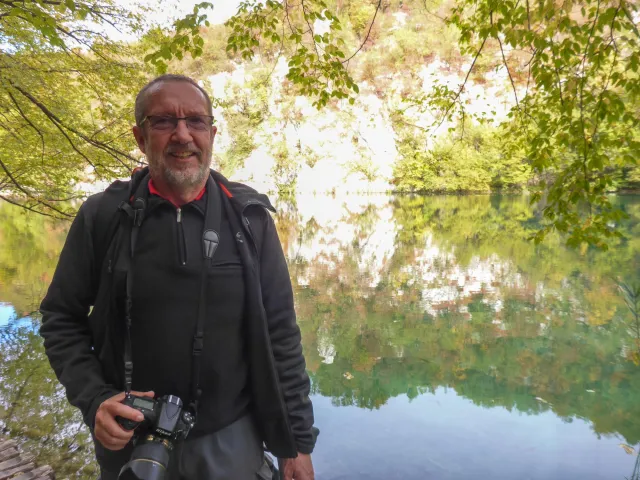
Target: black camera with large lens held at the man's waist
{"x":165,"y":422}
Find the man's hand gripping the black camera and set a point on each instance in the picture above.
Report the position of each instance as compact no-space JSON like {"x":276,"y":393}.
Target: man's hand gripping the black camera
{"x":109,"y":432}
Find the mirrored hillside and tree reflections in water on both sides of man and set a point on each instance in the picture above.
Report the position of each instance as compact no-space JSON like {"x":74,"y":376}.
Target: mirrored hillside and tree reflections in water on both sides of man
{"x":395,"y":296}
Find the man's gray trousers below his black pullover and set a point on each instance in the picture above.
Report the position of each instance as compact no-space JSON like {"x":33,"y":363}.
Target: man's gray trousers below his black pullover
{"x":233,"y":453}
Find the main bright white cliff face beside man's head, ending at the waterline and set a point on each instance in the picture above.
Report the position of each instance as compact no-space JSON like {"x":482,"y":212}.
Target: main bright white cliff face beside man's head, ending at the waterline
{"x":325,"y":150}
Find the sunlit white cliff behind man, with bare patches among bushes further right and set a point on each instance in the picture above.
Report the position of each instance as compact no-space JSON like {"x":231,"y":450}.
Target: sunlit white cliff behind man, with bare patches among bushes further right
{"x":342,"y":147}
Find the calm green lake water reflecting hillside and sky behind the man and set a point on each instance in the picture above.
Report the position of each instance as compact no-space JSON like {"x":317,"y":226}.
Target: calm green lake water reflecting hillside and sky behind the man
{"x":441,"y":343}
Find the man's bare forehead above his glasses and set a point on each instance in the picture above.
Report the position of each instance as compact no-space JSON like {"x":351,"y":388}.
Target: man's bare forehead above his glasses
{"x":175,"y":98}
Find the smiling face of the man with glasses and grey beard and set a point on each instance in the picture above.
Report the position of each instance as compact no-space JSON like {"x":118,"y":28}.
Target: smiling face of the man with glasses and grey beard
{"x":181,"y":157}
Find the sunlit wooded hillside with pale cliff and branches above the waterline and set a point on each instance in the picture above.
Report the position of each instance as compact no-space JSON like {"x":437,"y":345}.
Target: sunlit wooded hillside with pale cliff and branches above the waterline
{"x":429,"y":96}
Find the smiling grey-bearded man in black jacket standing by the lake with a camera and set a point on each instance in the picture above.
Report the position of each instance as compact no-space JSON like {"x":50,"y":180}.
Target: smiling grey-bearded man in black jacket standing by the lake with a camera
{"x":208,"y":311}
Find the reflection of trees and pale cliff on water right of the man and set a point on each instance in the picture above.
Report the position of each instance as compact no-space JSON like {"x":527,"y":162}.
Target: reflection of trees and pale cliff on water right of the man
{"x":464,"y":300}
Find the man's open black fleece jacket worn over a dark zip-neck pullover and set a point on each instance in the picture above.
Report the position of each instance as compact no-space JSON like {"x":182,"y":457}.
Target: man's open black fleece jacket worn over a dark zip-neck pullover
{"x":82,"y":330}
